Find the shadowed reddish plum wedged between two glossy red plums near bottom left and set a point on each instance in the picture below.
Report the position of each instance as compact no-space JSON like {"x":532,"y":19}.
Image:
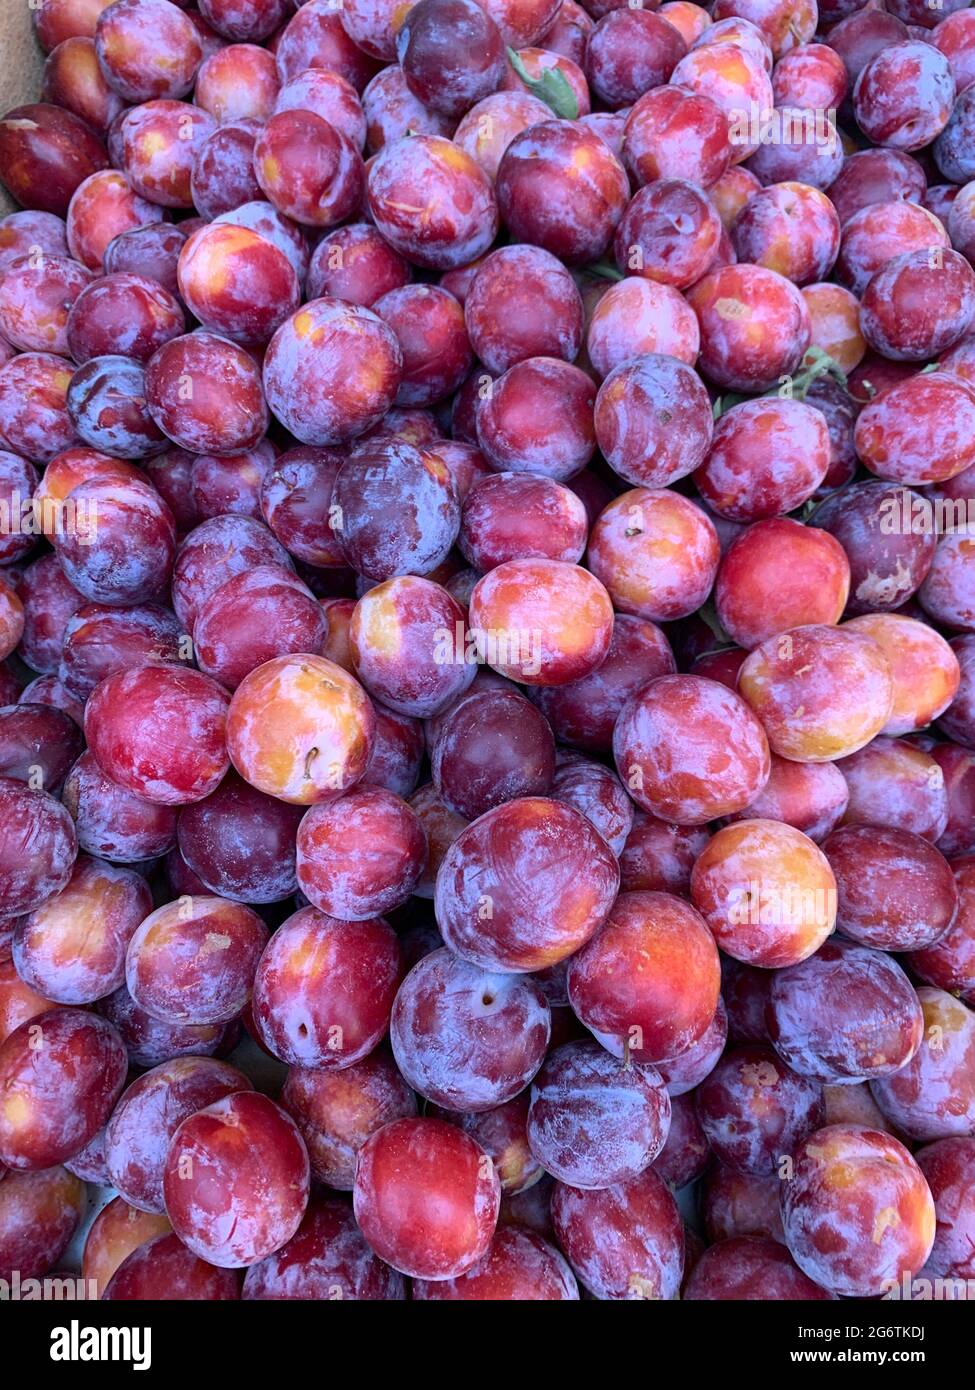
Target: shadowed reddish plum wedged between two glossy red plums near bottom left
{"x":336,"y":1113}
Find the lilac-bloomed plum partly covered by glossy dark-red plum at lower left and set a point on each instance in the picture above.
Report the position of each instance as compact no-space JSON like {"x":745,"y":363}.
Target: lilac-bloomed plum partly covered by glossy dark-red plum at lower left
{"x":148,"y":1115}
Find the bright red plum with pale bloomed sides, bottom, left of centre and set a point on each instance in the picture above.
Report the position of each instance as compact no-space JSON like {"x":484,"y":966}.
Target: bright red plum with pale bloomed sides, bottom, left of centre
{"x":426,"y":1199}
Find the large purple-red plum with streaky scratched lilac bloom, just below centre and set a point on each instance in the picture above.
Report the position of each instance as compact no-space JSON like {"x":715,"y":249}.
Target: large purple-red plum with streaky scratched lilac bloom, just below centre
{"x":490,"y":867}
